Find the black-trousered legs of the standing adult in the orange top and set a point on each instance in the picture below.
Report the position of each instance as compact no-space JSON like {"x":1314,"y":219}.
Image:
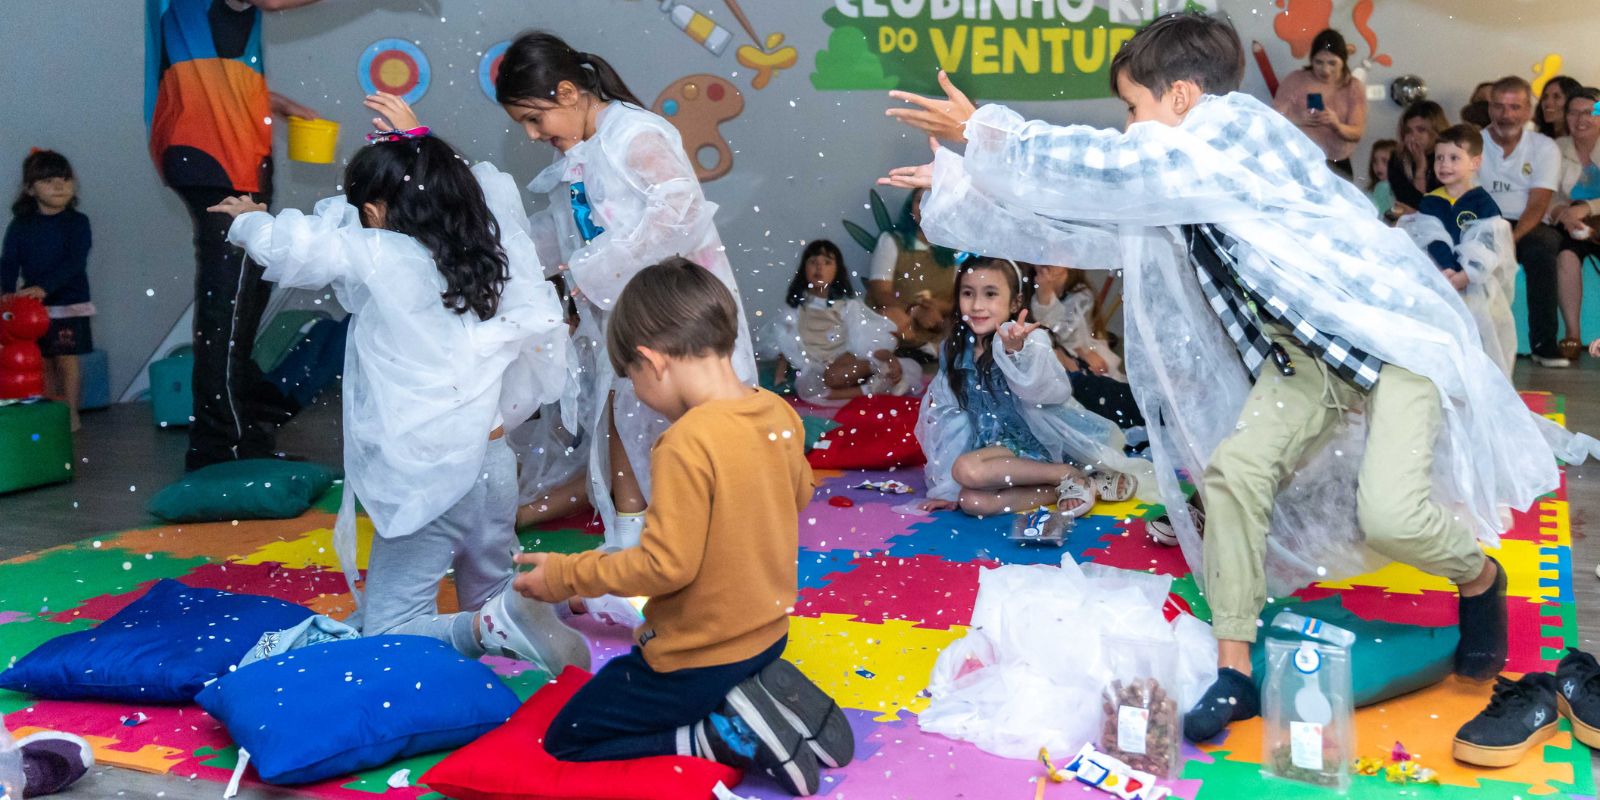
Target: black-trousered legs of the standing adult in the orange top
{"x":230,"y":300}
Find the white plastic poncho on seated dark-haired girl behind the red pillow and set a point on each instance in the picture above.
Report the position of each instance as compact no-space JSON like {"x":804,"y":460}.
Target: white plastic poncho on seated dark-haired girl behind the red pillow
{"x":863,"y":334}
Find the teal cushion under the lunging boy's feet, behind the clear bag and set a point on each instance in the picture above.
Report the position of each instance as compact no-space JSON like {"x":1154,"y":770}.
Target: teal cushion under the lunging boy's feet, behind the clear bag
{"x":1388,"y":658}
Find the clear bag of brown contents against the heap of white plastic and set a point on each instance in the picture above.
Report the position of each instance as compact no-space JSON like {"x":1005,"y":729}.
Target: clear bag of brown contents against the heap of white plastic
{"x":1140,"y":702}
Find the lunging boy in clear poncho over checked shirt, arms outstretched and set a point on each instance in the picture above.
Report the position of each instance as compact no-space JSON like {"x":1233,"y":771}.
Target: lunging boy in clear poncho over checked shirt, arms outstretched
{"x":1270,"y":319}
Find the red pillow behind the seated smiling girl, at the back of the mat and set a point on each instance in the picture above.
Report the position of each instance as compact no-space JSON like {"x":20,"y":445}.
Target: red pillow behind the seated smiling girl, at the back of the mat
{"x":874,"y":433}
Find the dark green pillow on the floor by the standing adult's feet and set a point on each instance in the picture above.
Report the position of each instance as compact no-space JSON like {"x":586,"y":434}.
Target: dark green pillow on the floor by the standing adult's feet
{"x":260,"y":489}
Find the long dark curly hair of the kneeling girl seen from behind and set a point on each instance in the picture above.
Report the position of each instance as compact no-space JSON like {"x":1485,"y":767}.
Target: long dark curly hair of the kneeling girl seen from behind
{"x":430,"y":194}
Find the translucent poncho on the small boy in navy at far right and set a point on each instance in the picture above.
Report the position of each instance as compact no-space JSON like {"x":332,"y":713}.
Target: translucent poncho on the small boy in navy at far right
{"x":1489,"y":257}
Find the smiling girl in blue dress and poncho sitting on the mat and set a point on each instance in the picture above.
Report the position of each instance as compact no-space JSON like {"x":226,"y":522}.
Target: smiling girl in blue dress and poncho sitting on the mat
{"x":999,"y":423}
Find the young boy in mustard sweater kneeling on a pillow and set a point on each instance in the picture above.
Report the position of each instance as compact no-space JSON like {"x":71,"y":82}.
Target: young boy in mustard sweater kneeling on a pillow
{"x":718,"y":559}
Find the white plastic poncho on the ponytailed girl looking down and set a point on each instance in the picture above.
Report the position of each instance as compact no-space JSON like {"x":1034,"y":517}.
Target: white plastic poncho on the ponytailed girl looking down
{"x":644,"y":193}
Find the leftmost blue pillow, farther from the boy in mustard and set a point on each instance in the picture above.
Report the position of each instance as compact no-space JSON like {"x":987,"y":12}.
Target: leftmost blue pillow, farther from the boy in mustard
{"x":162,"y":649}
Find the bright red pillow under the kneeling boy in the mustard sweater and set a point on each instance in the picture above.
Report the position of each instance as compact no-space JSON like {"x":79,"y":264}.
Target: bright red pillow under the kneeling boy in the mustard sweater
{"x":510,"y":764}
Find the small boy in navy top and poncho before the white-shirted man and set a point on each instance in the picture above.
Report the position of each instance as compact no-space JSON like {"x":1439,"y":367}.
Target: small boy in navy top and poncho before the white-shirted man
{"x":1465,"y":233}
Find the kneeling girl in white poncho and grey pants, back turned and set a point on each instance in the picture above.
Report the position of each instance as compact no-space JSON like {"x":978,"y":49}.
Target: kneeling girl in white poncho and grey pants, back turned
{"x":457,"y":338}
